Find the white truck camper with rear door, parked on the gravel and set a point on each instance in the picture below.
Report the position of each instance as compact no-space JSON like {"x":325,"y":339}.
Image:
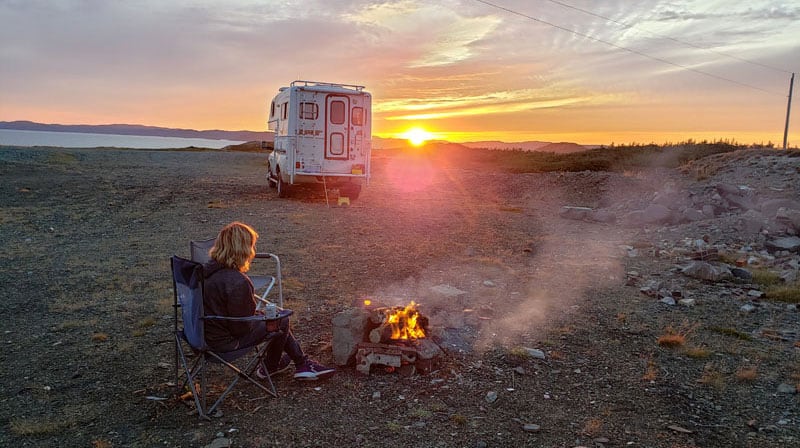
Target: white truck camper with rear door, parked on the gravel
{"x":322,"y":135}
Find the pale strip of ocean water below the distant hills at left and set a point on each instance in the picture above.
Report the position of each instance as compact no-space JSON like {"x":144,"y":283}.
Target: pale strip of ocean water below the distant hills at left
{"x":12,"y":137}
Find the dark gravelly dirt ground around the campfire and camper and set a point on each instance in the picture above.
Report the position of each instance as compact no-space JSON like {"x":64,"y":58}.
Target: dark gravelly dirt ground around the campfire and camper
{"x":88,"y":357}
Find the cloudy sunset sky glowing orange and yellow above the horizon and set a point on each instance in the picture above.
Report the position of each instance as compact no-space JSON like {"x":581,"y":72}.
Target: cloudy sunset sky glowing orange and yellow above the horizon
{"x":583,"y":71}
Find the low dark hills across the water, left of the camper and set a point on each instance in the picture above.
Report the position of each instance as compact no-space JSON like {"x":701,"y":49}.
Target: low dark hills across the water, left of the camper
{"x":134,"y":129}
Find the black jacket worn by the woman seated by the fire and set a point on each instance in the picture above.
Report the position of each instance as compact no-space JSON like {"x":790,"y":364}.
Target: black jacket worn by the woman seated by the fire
{"x":227,"y":292}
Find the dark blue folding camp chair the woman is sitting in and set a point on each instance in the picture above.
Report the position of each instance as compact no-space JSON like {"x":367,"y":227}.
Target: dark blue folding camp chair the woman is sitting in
{"x":188,"y":283}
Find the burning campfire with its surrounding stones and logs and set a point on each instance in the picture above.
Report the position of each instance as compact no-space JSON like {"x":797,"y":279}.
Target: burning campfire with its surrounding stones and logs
{"x":394,"y":338}
